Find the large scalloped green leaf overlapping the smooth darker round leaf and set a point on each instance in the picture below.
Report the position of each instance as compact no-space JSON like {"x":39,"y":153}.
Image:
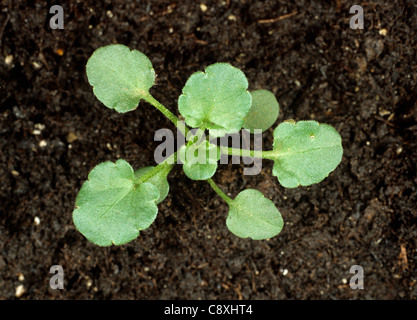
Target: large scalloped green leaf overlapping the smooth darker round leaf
{"x":216,"y":99}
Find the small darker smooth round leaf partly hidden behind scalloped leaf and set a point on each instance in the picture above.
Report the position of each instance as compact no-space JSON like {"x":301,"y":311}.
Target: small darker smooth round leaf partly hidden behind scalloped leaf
{"x":263,"y":112}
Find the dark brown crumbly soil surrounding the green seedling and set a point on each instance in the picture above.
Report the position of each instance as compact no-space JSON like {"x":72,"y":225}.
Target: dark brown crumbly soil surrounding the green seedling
{"x":53,"y":131}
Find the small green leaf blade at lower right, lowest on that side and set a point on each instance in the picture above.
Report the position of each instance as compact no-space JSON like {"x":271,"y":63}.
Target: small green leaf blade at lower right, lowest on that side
{"x":251,"y":215}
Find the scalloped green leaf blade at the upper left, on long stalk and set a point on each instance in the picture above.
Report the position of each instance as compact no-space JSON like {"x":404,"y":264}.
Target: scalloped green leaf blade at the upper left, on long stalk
{"x":120,"y":77}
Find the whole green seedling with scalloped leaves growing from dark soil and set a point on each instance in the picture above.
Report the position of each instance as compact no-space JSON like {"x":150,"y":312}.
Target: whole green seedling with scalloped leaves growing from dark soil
{"x":116,"y":202}
